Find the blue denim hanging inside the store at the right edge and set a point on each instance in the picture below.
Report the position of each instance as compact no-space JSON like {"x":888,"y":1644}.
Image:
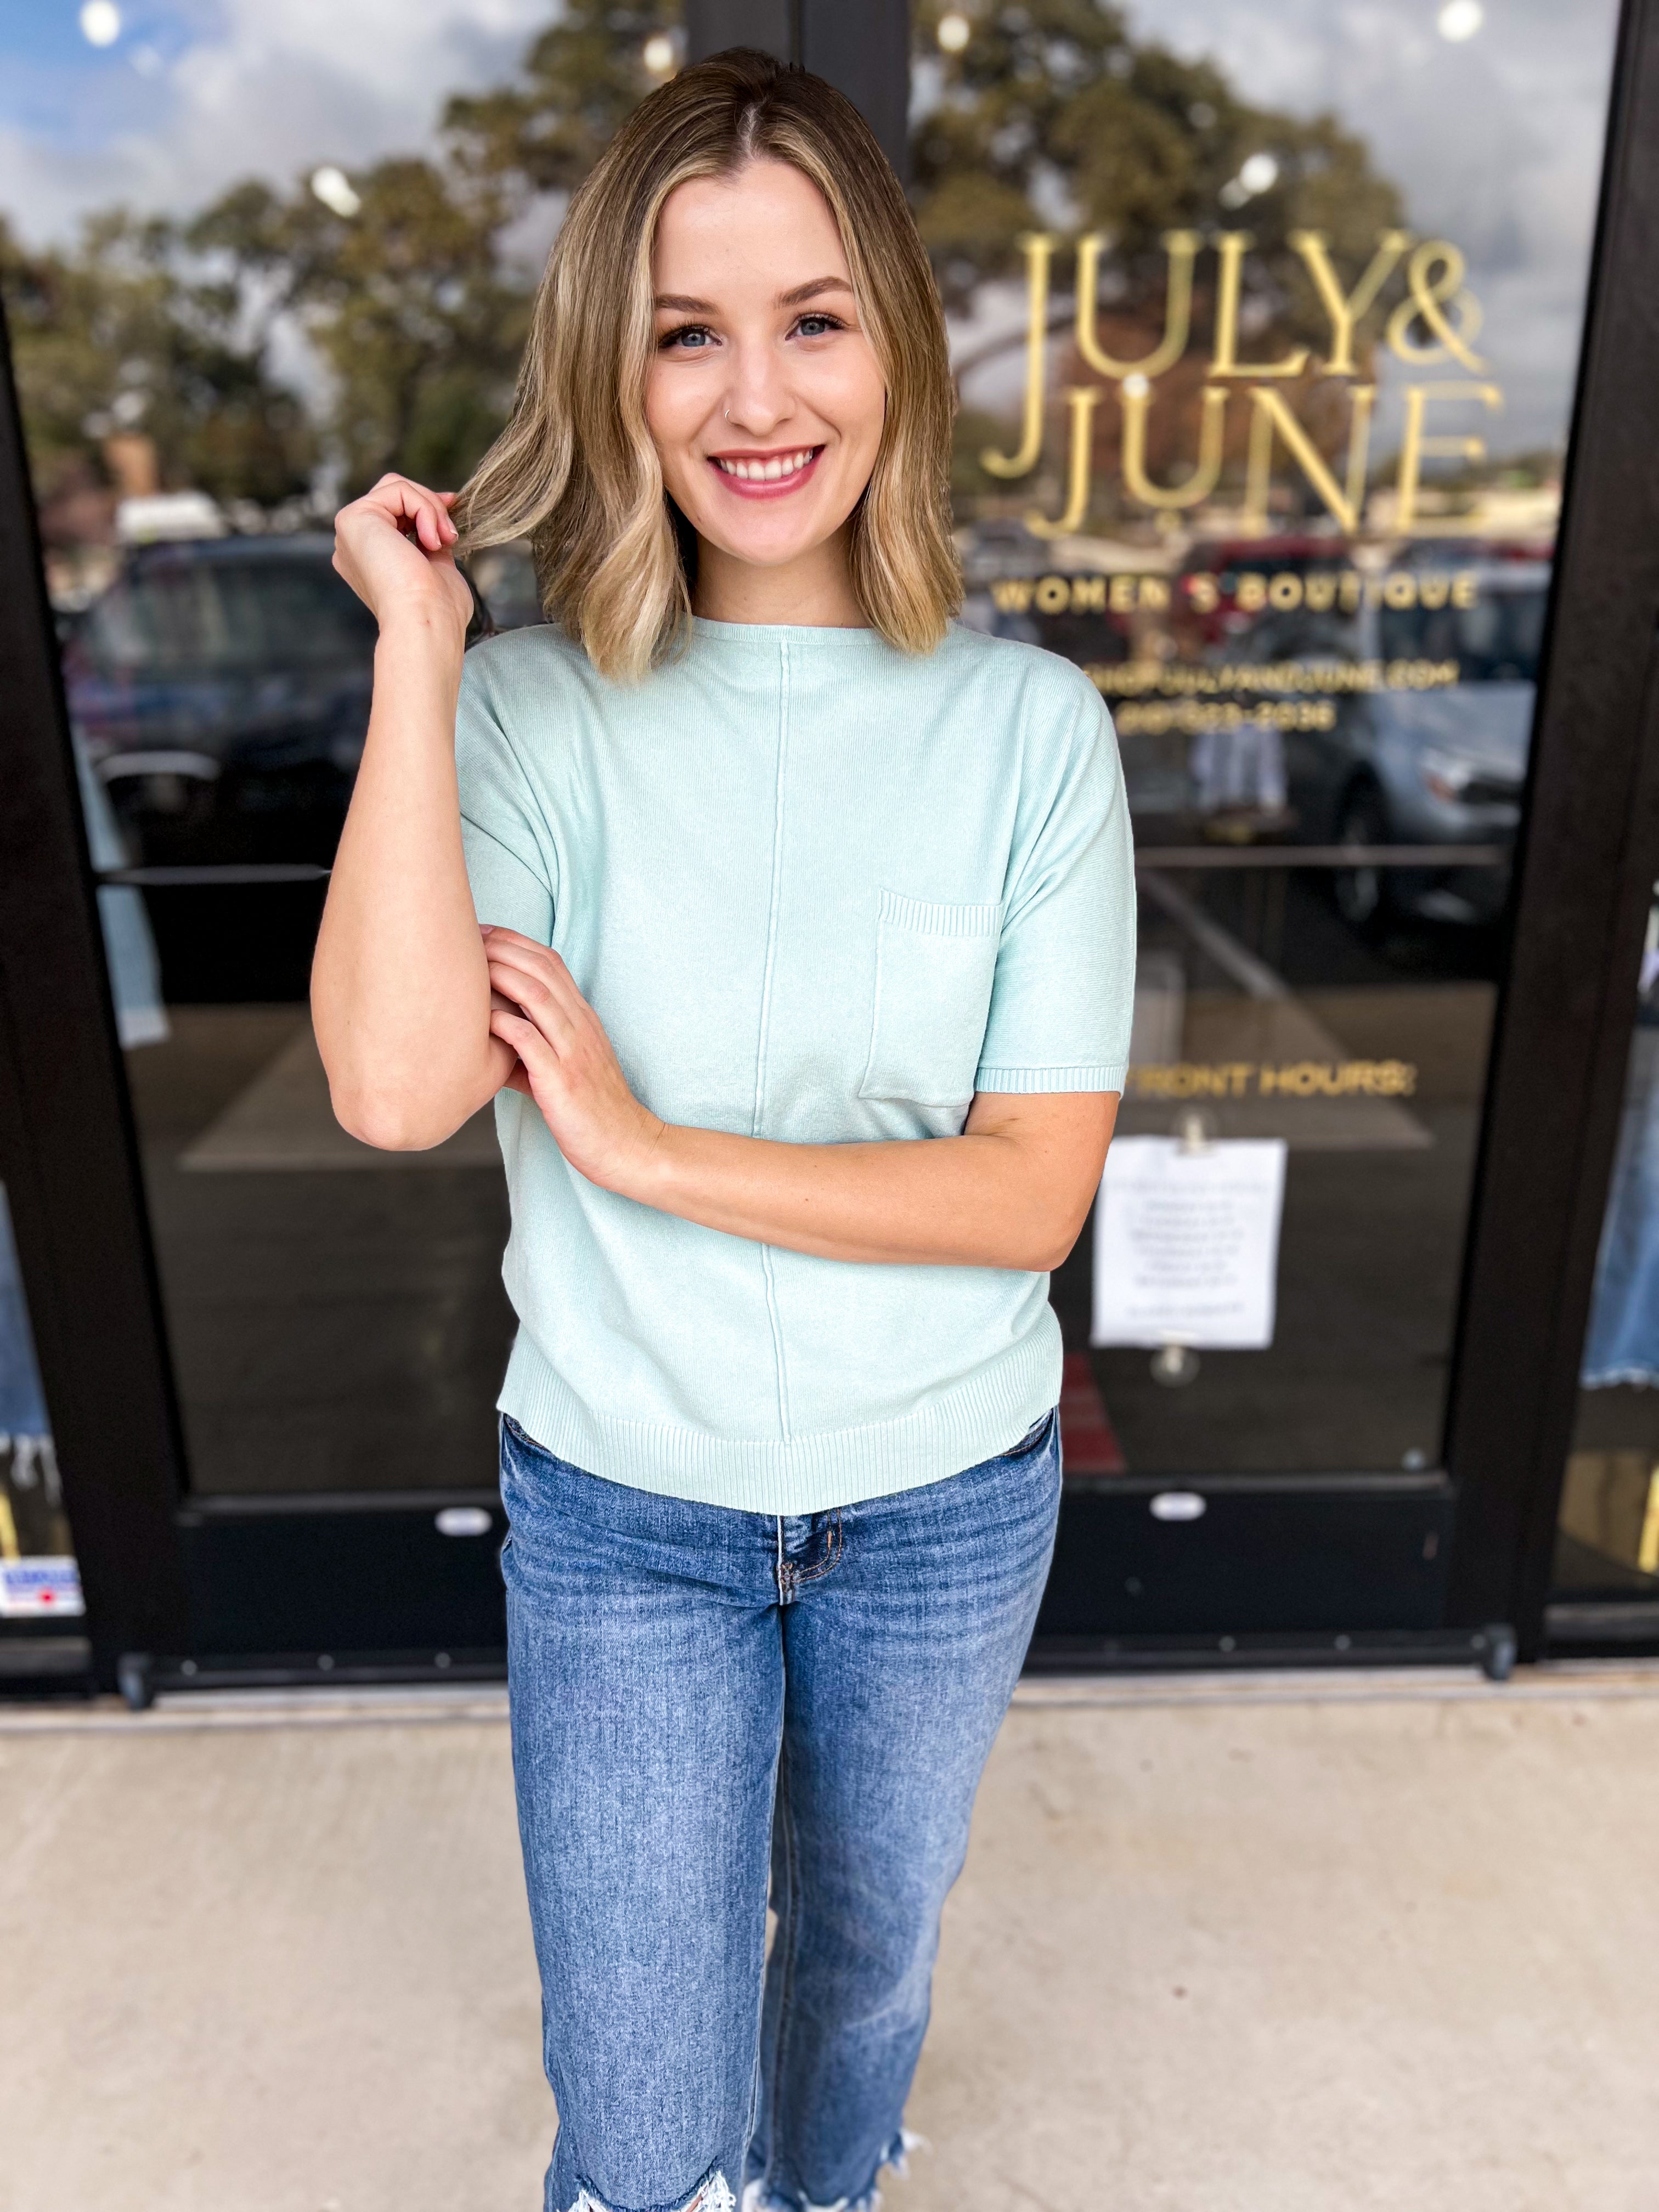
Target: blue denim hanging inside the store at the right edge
{"x":1623,"y":1344}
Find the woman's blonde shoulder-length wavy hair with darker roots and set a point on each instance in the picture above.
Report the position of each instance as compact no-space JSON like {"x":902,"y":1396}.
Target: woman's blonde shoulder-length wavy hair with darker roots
{"x":576,"y":470}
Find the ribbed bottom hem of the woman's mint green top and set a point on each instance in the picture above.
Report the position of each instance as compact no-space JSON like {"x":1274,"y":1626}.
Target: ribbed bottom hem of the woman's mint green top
{"x":950,"y":1430}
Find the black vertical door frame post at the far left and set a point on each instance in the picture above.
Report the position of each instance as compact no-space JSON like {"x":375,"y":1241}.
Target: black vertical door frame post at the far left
{"x":67,"y":1142}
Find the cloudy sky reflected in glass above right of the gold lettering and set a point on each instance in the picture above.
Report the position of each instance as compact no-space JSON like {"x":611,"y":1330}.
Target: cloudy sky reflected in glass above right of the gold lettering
{"x":1494,"y":143}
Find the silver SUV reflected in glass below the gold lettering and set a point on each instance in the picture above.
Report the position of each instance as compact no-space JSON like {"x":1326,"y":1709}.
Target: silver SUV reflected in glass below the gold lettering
{"x":1423,"y":762}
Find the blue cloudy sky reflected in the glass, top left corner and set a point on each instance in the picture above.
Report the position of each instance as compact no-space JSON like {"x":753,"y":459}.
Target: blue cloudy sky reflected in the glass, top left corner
{"x":202,"y":92}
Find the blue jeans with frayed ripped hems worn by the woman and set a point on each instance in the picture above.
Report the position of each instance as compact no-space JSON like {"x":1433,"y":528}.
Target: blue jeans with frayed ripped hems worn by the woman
{"x":700,"y":1698}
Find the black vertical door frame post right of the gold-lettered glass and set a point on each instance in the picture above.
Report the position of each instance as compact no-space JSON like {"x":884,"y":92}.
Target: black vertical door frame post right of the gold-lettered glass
{"x":1580,"y":904}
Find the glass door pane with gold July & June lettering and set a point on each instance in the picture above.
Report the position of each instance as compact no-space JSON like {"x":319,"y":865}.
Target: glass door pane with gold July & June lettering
{"x":1269,"y":326}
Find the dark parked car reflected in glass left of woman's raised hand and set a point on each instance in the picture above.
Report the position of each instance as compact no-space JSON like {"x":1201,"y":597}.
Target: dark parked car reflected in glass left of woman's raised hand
{"x":222,"y":693}
